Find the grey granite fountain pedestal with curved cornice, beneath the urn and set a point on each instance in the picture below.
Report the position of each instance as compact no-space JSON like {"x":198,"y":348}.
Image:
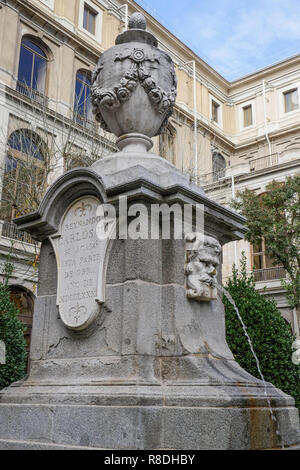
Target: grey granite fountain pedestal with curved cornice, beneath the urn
{"x":152,"y":370}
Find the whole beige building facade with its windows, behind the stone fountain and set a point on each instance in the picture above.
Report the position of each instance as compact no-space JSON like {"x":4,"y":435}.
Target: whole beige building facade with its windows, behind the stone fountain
{"x":226,"y":135}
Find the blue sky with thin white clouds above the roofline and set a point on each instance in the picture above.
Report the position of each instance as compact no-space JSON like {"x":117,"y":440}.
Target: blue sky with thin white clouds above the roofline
{"x":235,"y":37}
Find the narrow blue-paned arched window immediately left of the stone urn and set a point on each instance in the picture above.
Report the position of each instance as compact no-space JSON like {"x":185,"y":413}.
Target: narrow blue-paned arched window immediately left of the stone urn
{"x":82,"y":105}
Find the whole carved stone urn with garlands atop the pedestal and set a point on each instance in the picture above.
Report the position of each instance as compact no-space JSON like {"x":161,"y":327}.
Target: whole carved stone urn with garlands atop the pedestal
{"x":134,"y":86}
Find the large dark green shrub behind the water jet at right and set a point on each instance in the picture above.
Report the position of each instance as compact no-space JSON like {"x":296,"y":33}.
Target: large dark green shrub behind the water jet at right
{"x":270,"y":335}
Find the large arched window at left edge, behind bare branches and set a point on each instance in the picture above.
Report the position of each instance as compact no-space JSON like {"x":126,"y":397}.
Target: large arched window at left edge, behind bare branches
{"x":24,"y":181}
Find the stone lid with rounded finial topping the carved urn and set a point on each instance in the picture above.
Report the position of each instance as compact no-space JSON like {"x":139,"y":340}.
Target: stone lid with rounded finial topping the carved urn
{"x":137,"y":32}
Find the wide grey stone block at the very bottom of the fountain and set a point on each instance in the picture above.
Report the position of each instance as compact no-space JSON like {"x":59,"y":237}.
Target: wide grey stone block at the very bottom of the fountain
{"x":134,"y":419}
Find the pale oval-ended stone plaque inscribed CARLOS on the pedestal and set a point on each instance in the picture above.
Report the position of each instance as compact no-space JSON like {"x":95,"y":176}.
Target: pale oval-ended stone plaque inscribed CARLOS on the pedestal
{"x":81,"y":264}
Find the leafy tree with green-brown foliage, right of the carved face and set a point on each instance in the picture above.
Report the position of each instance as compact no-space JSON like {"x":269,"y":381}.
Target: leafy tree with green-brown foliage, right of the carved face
{"x":275,"y":217}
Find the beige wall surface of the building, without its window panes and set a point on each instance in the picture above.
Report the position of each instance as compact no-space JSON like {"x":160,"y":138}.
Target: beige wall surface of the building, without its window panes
{"x":57,"y":25}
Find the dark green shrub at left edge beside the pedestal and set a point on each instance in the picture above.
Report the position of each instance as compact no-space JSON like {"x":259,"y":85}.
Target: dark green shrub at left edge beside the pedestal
{"x":12,"y":334}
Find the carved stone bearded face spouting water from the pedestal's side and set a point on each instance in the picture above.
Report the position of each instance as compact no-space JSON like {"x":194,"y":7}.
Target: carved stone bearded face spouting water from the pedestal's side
{"x":201,"y":269}
